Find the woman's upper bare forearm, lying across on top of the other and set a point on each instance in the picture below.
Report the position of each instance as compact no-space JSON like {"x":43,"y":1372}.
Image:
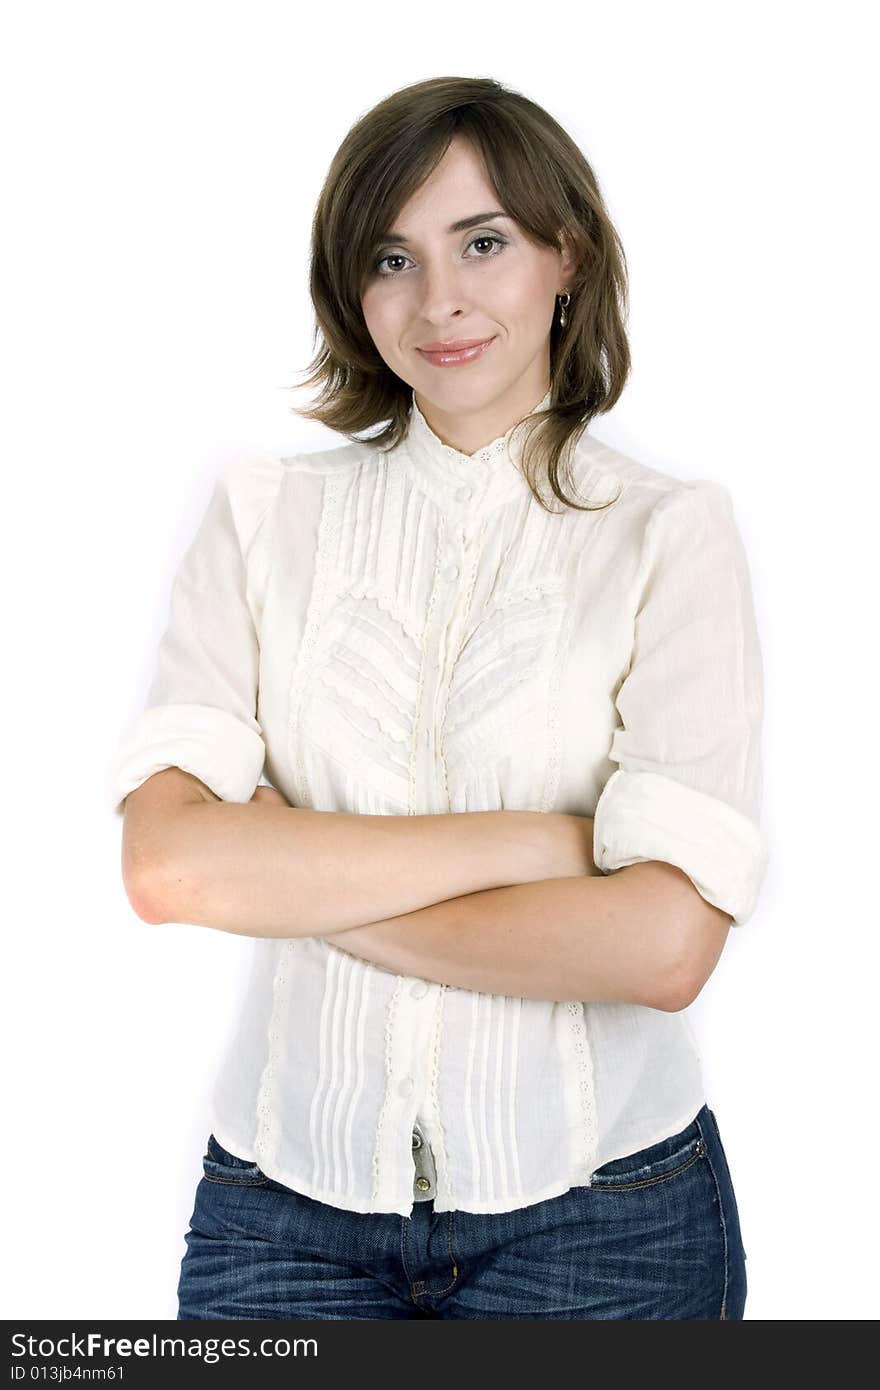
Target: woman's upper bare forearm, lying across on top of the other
{"x":276,"y":871}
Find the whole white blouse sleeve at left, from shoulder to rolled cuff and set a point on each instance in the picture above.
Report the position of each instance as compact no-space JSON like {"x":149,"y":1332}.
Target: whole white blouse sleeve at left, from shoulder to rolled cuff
{"x":201,"y":710}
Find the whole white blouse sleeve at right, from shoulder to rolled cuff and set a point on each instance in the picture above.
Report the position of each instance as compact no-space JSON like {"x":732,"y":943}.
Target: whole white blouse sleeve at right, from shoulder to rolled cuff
{"x":689,"y":782}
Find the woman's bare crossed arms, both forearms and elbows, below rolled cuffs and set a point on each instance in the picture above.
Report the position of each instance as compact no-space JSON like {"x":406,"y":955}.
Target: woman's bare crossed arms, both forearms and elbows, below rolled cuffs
{"x":504,"y":903}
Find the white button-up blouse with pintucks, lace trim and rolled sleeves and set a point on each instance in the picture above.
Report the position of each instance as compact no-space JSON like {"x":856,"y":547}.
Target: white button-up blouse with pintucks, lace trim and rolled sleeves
{"x":412,"y":633}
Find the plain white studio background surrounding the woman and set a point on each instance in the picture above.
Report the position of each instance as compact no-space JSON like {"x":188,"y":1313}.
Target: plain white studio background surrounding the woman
{"x":163,"y":163}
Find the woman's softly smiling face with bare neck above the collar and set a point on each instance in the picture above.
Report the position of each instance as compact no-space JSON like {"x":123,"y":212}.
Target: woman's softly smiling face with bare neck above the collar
{"x":432,"y":284}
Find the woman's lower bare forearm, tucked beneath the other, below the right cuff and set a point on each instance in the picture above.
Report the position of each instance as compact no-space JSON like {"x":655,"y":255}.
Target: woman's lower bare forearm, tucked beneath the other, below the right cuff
{"x":614,"y":939}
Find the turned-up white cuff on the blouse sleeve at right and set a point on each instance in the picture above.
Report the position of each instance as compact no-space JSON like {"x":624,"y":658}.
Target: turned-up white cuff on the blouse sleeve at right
{"x":644,"y":817}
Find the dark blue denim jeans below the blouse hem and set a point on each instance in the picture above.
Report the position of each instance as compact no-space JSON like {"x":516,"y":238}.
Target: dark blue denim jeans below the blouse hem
{"x":655,"y":1236}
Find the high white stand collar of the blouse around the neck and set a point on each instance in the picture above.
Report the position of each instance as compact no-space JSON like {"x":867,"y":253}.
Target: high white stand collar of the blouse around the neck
{"x":461,"y":480}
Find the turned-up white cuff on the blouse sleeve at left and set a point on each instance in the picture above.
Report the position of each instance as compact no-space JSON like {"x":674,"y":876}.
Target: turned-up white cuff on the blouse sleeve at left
{"x":209,"y":743}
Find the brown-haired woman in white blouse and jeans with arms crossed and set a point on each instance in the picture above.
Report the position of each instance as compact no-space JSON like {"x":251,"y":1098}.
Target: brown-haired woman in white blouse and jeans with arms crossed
{"x":462,"y":1085}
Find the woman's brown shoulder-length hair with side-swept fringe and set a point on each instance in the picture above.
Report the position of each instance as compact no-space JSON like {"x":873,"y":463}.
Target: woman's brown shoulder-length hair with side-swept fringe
{"x":544,"y":183}
